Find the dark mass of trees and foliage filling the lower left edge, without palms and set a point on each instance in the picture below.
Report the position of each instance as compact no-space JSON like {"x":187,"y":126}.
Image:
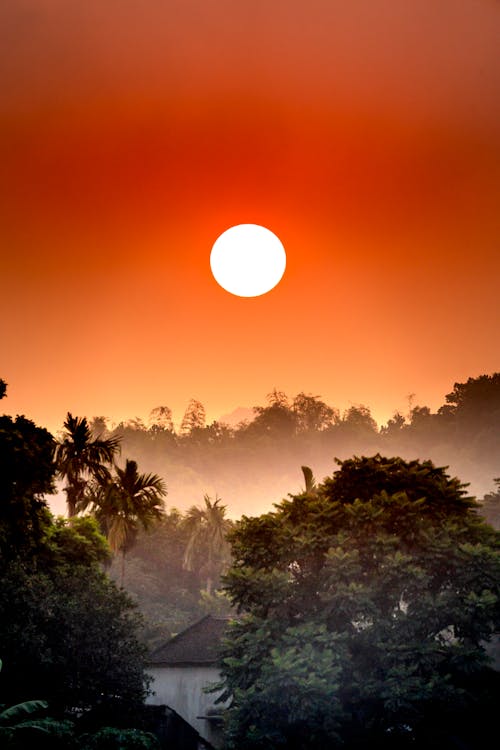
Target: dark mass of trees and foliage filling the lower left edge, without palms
{"x":68,"y":636}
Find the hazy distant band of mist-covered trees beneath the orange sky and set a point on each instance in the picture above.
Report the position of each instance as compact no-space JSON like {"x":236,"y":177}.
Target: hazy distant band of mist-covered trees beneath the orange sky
{"x":256,"y":463}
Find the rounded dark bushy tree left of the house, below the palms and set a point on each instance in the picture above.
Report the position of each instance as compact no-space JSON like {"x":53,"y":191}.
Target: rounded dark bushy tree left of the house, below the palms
{"x":69,"y":636}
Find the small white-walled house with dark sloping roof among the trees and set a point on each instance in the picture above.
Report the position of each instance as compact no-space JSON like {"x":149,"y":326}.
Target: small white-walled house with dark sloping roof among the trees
{"x":182,"y":668}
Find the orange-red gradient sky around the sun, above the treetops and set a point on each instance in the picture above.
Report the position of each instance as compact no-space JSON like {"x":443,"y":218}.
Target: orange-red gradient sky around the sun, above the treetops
{"x":365,"y":134}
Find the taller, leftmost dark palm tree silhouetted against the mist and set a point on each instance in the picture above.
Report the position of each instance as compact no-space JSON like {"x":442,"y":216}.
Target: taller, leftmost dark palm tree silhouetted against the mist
{"x":80,"y":457}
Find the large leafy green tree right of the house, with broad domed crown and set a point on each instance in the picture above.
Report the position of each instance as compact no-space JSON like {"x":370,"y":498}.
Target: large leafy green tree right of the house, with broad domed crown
{"x":366,"y":608}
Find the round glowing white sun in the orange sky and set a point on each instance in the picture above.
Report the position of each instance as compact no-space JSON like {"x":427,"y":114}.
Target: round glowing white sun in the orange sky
{"x":248,"y":260}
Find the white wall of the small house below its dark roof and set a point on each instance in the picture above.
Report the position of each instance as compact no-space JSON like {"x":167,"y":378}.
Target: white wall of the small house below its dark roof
{"x":181,"y":688}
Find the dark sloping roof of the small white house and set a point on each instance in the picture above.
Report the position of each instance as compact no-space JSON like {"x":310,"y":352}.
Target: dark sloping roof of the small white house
{"x":198,"y":644}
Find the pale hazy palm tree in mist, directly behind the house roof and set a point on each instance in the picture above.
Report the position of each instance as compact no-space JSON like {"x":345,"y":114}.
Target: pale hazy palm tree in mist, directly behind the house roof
{"x":207,"y":549}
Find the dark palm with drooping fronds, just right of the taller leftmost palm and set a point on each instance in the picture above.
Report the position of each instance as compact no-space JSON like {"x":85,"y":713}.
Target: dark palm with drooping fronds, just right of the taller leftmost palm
{"x":123,"y":503}
